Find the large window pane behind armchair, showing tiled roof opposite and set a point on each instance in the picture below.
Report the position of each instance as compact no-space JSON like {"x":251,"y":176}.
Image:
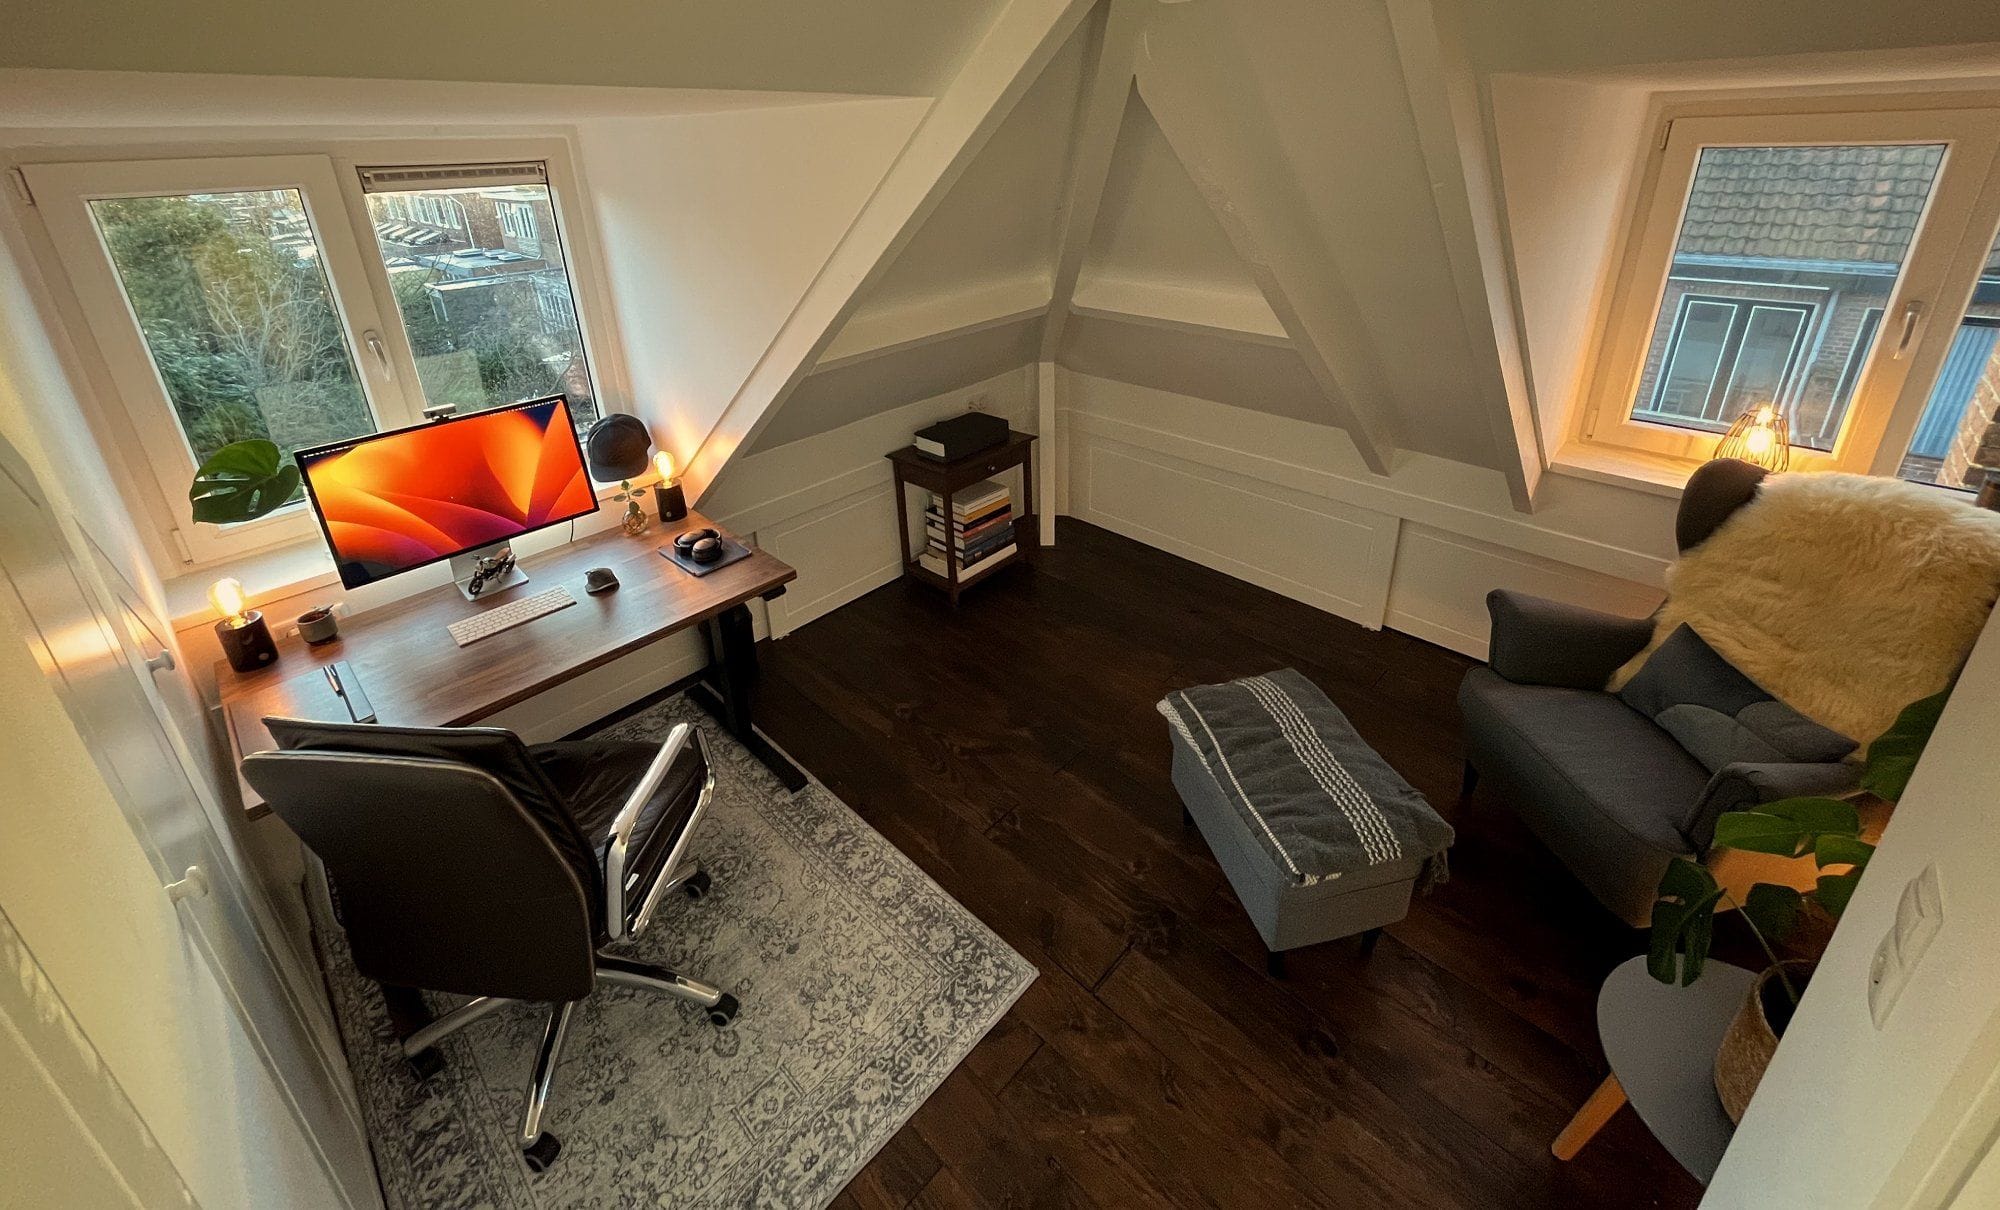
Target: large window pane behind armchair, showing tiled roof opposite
{"x":1815,"y":237}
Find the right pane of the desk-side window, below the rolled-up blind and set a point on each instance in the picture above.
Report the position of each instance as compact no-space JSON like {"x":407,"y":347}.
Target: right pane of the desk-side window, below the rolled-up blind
{"x":485,"y":295}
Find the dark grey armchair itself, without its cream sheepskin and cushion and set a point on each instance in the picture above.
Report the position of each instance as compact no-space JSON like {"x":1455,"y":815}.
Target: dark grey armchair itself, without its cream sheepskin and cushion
{"x":1605,"y":789}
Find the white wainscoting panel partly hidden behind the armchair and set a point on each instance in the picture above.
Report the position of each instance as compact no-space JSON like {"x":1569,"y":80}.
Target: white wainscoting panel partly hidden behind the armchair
{"x":1441,"y":583}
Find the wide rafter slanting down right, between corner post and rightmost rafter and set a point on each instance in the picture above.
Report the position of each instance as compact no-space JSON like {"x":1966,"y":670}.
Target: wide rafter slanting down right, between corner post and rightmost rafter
{"x":1215,"y":123}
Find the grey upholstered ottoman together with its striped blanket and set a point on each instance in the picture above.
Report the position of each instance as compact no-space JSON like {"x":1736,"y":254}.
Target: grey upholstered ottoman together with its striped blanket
{"x":1319,"y":837}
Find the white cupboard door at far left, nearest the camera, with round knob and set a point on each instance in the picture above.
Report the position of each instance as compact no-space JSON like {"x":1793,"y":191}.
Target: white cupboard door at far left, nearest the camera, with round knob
{"x":177,"y":993}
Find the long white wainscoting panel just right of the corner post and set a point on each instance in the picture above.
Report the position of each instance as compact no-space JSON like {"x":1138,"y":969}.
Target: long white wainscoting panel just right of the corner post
{"x":1307,"y":547}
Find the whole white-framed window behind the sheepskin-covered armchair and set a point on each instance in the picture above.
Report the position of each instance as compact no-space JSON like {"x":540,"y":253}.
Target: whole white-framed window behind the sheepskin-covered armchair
{"x":1765,"y":269}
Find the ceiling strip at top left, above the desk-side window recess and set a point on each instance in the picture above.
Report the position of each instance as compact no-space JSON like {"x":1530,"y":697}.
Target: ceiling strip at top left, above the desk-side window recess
{"x":901,"y":47}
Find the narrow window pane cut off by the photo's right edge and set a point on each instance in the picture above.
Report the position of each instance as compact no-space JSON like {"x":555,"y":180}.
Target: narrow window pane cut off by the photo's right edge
{"x":1959,"y":435}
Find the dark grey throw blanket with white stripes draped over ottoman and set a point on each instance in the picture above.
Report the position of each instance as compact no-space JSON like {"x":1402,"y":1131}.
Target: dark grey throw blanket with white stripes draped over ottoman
{"x":1317,"y":797}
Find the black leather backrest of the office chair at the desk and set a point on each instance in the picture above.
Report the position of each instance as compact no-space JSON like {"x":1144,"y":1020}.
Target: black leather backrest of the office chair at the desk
{"x":457,"y":865}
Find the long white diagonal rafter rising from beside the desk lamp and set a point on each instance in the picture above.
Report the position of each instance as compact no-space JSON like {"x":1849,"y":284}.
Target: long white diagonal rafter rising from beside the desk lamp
{"x":999,"y":71}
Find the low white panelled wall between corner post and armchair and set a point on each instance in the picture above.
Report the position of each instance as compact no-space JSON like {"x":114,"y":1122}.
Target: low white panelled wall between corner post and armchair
{"x":1291,"y":507}
